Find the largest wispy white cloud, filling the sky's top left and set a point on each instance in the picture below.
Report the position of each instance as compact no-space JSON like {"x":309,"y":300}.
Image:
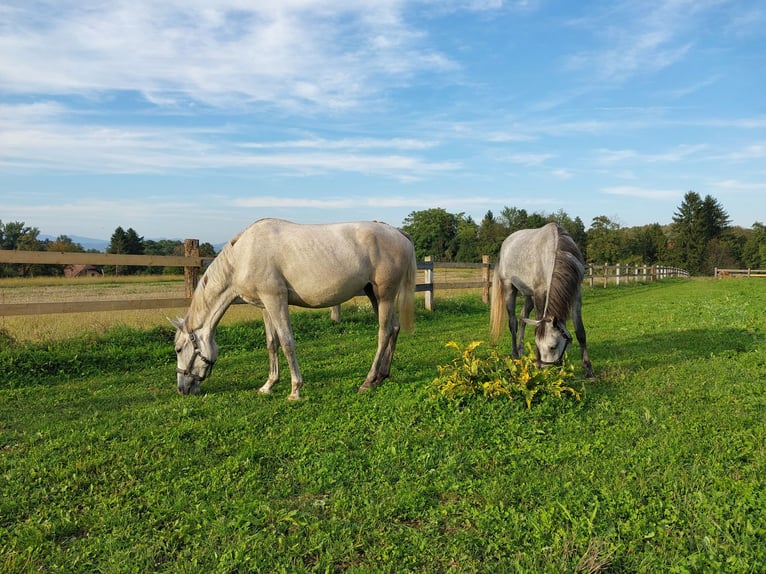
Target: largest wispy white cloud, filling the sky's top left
{"x":292,"y":53}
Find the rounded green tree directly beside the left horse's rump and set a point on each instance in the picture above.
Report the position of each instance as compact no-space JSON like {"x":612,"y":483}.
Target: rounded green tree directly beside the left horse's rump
{"x":434,"y":232}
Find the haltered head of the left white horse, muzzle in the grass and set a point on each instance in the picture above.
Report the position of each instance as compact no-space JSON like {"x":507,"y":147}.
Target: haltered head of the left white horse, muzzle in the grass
{"x":195,"y":355}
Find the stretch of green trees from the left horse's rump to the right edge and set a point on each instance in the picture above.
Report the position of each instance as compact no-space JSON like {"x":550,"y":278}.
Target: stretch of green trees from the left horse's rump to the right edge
{"x":699,"y":239}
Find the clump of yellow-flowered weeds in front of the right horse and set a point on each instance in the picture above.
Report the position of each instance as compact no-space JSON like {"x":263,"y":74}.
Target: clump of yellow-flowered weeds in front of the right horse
{"x":478,"y":371}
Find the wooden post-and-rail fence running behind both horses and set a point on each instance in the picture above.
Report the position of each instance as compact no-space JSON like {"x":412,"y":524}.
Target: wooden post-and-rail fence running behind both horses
{"x":192,"y":264}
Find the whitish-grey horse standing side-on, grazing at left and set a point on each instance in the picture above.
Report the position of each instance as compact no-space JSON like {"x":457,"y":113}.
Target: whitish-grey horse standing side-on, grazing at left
{"x":276,"y":263}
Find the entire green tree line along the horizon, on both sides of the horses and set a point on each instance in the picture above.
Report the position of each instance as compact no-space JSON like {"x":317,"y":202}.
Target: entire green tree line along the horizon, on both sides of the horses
{"x":699,"y":239}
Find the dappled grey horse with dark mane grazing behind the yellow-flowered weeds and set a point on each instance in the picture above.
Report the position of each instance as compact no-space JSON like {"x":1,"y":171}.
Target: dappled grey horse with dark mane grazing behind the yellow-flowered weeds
{"x":546,"y":266}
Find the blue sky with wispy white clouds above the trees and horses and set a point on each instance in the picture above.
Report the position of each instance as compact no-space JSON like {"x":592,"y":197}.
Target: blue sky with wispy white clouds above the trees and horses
{"x":188,"y":118}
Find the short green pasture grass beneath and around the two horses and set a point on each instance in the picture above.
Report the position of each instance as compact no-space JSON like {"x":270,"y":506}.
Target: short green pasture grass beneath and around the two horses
{"x":658,"y":468}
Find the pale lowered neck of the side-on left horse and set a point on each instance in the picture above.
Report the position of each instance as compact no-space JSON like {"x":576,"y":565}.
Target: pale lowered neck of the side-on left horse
{"x":211,"y":298}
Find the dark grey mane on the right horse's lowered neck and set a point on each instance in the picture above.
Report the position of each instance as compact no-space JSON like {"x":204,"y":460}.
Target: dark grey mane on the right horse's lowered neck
{"x":567,"y":276}
